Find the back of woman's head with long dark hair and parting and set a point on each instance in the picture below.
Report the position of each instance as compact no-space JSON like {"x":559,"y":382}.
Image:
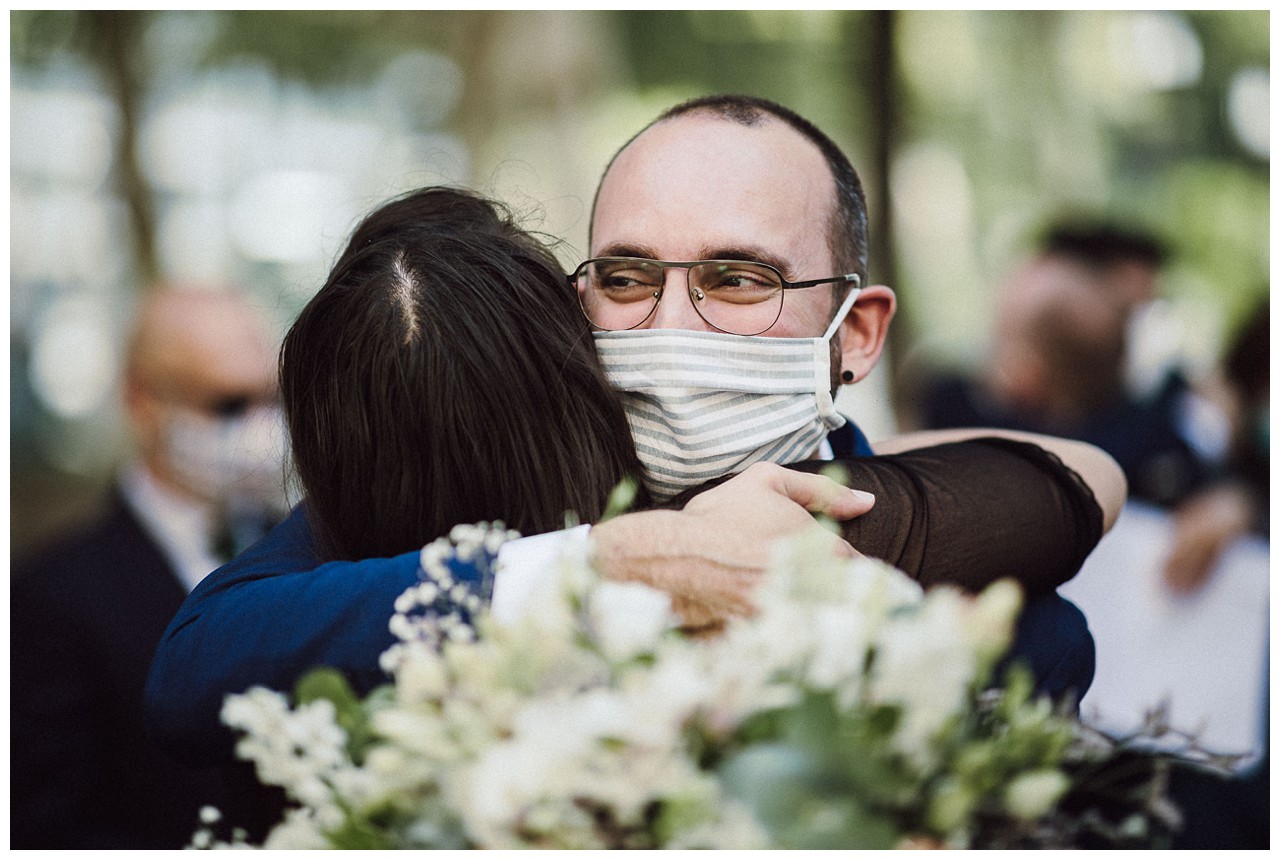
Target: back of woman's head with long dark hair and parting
{"x":444,"y":374}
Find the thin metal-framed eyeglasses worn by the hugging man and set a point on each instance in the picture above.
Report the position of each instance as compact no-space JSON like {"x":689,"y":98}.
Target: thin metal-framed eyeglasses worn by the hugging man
{"x":733,"y":296}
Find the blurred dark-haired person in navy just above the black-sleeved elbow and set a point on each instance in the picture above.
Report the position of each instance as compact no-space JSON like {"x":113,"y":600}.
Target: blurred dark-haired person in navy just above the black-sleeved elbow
{"x":1063,"y":349}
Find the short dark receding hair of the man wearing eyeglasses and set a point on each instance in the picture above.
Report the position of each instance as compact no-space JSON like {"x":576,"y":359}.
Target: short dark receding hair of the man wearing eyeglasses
{"x":847,"y":228}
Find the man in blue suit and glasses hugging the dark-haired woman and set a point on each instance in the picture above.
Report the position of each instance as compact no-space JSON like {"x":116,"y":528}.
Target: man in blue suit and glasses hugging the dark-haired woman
{"x":751,"y":187}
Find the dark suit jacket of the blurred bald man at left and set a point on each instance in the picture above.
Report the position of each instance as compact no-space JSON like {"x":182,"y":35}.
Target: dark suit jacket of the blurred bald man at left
{"x":86,"y":617}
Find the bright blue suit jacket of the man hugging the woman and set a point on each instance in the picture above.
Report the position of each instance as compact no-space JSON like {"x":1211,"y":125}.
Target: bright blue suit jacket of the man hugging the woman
{"x":276,"y":612}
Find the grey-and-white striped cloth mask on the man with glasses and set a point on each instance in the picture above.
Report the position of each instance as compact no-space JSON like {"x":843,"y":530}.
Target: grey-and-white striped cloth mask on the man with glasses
{"x":703,"y":404}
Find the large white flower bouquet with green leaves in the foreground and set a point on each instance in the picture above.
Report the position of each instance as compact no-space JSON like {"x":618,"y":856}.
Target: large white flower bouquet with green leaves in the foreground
{"x":853,"y":711}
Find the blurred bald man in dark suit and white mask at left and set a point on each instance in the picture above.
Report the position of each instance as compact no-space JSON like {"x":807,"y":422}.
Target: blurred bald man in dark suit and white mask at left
{"x":207,"y":481}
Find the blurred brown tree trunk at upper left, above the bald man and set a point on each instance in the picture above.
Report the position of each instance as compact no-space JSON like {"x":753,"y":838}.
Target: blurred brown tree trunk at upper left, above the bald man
{"x":116,"y":44}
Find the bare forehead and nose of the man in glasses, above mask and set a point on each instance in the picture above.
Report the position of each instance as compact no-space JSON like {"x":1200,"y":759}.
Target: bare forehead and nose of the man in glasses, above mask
{"x":698,"y":187}
